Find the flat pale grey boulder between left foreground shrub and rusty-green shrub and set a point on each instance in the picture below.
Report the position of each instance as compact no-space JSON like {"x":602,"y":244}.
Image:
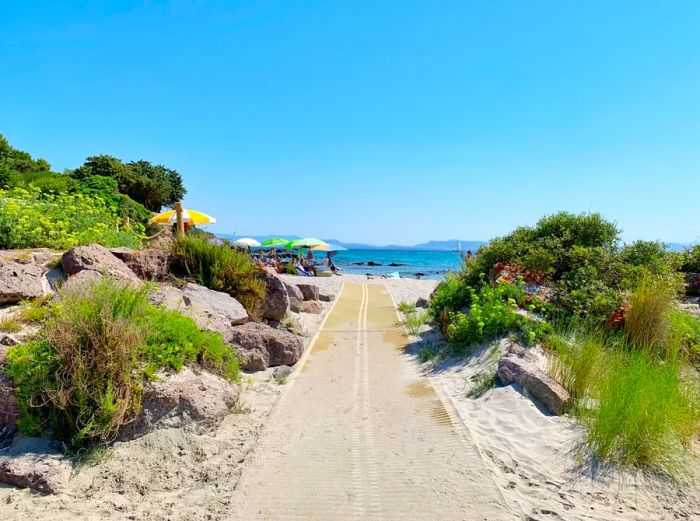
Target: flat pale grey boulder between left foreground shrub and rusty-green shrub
{"x":212,"y":310}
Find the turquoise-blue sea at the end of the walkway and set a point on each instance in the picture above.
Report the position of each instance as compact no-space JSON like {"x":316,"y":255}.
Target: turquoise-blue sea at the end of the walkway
{"x":432,"y":264}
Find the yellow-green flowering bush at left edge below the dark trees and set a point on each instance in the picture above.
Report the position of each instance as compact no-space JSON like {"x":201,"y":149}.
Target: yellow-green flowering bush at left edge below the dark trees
{"x":30,"y":218}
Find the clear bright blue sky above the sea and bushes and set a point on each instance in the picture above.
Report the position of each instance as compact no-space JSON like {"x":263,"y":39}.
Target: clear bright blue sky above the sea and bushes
{"x":393,"y":121}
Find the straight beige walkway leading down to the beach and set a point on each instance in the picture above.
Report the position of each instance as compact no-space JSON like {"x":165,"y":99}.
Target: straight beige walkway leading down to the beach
{"x":359,"y":434}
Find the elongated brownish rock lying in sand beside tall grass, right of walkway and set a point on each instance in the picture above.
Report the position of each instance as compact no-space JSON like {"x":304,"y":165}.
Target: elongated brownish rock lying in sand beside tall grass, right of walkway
{"x":522,"y":371}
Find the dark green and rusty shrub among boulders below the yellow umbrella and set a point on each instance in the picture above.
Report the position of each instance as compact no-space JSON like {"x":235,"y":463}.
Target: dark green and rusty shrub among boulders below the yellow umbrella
{"x":221,"y":268}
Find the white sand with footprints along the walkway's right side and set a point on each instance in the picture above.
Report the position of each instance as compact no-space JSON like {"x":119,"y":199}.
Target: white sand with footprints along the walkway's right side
{"x":537,"y":461}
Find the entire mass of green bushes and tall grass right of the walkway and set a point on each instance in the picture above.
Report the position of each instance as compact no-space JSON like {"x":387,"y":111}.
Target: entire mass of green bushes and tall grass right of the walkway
{"x":626,"y":354}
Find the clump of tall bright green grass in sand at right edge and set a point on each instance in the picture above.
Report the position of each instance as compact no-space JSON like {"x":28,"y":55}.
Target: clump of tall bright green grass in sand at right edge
{"x":646,"y":415}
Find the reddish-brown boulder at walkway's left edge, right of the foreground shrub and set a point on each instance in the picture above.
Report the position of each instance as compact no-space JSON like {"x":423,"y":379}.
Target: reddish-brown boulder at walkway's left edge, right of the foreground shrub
{"x":271,"y":347}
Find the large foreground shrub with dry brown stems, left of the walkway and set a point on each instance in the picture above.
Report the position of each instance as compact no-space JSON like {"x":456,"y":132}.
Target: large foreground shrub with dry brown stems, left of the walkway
{"x":83,"y":376}
